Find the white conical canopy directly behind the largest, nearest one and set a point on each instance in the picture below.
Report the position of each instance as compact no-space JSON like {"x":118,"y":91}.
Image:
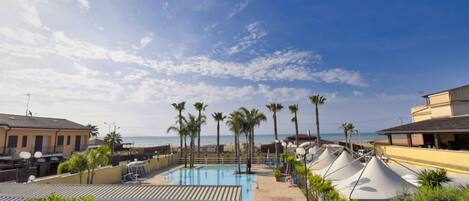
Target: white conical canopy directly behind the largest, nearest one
{"x":342,"y":168}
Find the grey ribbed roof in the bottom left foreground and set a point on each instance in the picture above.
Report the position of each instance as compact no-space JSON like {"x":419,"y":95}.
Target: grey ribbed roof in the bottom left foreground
{"x":118,"y":192}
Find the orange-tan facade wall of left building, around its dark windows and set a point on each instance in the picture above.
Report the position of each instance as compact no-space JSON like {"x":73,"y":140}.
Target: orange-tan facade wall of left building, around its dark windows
{"x":49,"y":138}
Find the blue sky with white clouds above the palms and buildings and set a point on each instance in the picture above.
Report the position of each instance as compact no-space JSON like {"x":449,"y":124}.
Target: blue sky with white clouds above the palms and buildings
{"x":127,"y":61}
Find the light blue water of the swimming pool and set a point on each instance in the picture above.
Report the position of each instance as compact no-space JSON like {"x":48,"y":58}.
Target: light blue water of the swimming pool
{"x":212,"y":175}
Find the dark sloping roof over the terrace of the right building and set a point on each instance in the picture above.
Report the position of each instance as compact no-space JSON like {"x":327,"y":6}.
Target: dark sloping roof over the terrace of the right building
{"x":437,"y":125}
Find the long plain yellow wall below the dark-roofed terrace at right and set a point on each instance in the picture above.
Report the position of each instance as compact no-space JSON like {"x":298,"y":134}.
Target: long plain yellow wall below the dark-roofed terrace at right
{"x":447,"y":159}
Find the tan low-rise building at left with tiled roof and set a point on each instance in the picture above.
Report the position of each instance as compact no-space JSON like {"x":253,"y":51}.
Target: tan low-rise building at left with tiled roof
{"x":50,"y":136}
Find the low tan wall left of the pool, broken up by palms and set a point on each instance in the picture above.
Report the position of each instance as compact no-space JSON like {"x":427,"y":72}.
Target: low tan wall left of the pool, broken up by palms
{"x":106,"y":175}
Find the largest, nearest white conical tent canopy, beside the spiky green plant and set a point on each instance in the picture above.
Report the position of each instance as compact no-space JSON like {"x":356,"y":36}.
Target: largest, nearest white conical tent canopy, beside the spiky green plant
{"x":377,"y":182}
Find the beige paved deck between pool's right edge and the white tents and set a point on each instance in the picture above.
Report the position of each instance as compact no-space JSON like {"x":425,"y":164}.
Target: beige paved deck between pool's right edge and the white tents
{"x":268,"y":189}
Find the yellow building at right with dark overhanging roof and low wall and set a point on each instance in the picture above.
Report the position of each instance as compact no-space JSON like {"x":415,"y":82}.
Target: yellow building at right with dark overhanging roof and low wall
{"x":438,"y":135}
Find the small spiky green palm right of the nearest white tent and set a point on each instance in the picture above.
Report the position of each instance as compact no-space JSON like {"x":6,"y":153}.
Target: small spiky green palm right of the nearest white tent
{"x":433,"y":178}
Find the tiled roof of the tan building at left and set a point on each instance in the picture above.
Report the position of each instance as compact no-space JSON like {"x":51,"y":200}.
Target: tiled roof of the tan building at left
{"x":21,"y":121}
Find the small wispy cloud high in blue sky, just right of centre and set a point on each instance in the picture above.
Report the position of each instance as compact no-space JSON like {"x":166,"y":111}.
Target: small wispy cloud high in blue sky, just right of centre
{"x":254,"y":34}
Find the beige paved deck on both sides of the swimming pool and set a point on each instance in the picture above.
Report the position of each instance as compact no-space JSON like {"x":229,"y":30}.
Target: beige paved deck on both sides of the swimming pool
{"x":266,"y":187}
